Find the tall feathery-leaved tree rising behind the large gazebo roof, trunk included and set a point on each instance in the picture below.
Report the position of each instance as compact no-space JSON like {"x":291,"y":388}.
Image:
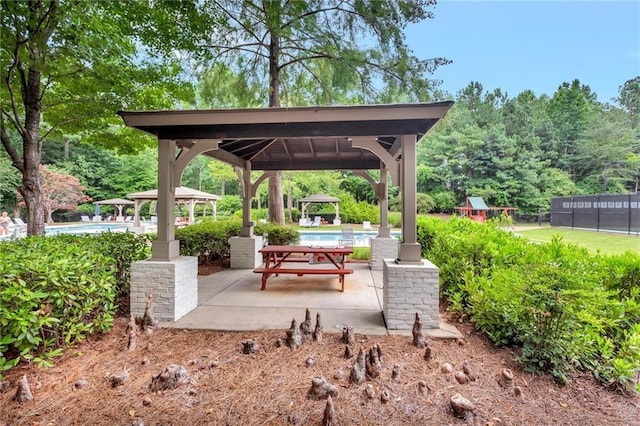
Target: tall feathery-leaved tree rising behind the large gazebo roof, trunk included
{"x":328,"y":47}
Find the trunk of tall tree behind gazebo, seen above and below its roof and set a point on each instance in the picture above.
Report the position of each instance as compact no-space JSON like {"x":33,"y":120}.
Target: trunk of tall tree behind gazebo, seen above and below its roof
{"x":276,"y":202}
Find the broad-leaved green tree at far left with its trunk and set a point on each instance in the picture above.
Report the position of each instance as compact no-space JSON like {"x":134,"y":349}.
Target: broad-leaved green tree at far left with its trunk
{"x":67,"y":67}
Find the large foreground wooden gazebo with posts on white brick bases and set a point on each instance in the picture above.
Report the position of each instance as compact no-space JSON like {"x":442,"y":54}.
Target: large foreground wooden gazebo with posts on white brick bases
{"x":266,"y":141}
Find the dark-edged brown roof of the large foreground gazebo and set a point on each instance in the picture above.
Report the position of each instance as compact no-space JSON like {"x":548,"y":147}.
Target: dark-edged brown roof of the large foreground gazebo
{"x":299,"y":138}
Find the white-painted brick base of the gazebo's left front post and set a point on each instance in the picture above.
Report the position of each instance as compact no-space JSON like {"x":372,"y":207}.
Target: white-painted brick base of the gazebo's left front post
{"x":173,"y":284}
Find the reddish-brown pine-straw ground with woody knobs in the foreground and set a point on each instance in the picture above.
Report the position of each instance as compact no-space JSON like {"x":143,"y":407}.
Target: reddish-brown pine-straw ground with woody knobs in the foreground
{"x":227,"y":387}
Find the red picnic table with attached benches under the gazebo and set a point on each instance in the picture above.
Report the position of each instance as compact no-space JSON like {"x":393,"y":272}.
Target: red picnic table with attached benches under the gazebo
{"x":277,"y":258}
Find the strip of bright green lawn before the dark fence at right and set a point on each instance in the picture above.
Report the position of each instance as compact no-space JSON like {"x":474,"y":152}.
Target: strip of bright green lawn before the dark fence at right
{"x":606,"y":243}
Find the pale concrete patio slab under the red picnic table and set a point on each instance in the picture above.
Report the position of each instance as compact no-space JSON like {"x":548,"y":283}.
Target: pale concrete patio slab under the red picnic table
{"x":231,"y":300}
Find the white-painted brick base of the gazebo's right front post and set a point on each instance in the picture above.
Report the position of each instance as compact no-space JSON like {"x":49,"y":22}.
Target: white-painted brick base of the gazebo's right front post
{"x":409,"y":289}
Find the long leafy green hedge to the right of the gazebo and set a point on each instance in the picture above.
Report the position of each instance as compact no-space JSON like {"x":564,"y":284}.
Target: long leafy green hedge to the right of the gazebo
{"x":563,"y":306}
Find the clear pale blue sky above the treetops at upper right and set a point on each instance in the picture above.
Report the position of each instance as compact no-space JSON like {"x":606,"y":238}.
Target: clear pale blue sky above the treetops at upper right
{"x":537,"y":45}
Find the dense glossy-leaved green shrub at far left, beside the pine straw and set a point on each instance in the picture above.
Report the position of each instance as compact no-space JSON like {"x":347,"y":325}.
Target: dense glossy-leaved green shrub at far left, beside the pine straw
{"x":54,"y":291}
